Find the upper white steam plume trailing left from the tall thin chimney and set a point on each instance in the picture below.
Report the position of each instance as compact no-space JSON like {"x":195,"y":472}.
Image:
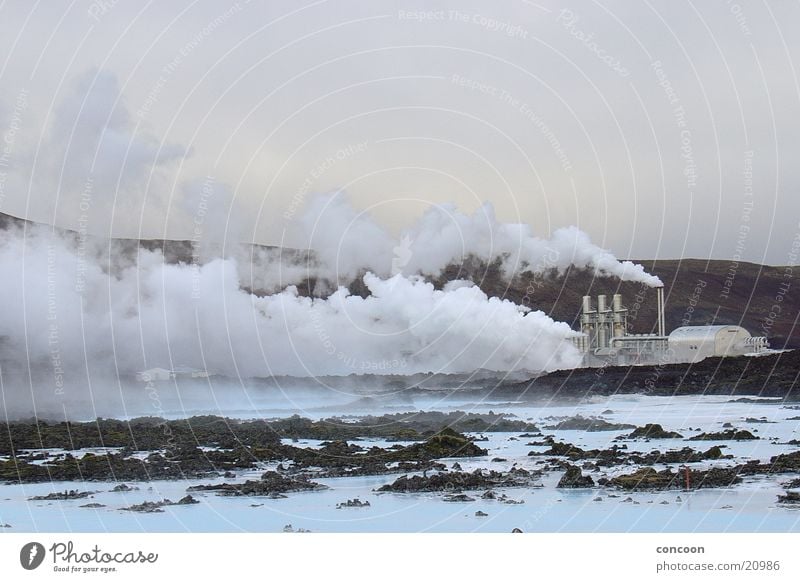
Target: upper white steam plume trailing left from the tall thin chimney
{"x":347,"y":242}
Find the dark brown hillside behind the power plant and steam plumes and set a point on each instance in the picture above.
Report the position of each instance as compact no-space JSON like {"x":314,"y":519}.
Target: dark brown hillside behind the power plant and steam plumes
{"x":698,"y":292}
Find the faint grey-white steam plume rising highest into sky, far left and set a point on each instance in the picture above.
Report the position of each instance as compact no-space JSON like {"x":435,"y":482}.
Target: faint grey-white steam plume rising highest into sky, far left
{"x":96,"y":168}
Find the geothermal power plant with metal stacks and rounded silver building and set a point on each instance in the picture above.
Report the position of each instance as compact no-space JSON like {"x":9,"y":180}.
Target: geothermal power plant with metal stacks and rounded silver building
{"x":604,"y":339}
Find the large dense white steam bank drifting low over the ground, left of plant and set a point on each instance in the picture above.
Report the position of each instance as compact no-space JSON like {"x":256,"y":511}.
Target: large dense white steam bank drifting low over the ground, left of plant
{"x":62,"y":310}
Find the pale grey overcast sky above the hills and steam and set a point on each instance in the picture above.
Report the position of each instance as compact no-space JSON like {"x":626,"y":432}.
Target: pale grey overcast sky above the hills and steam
{"x":663,"y":129}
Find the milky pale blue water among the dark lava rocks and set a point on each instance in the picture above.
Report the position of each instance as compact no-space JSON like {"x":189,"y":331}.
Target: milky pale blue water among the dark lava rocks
{"x":748,"y":507}
